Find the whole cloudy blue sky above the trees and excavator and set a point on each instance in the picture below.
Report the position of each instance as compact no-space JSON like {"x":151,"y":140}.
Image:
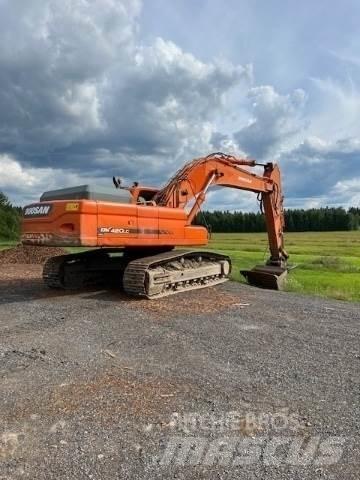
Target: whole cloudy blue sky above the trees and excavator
{"x":95,"y":88}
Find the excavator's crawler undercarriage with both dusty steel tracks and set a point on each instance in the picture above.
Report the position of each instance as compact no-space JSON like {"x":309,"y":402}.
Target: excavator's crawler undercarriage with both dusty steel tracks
{"x":139,"y":272}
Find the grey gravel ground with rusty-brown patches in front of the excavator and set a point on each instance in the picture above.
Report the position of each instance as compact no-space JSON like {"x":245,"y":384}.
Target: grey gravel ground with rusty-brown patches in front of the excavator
{"x":95,"y":385}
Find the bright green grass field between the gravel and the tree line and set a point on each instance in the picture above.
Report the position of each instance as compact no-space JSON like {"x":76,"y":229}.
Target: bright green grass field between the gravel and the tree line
{"x":328,"y":263}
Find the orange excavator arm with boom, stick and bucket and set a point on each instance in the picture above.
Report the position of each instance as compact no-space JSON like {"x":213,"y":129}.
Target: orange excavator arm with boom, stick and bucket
{"x":190,"y":184}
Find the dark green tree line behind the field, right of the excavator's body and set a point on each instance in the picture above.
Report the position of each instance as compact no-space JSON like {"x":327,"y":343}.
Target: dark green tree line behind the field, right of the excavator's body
{"x":310,"y":220}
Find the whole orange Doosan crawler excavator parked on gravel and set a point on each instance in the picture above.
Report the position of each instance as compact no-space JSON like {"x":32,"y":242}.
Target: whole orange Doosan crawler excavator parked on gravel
{"x":131,"y":232}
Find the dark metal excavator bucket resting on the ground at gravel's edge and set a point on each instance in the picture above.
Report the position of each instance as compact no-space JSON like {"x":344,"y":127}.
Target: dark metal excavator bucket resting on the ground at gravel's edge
{"x":266,"y":276}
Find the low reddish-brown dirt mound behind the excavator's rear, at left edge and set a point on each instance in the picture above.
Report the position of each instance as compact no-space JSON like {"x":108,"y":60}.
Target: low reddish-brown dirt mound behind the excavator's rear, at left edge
{"x":28,"y":254}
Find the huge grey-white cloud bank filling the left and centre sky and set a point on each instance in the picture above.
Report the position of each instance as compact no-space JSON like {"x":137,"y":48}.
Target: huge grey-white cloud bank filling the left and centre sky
{"x":79,"y":90}
